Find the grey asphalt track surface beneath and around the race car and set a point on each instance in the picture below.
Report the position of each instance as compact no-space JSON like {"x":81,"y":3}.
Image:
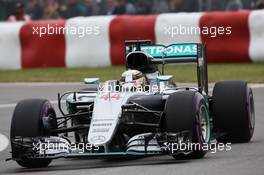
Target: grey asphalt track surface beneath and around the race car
{"x":243,"y":159}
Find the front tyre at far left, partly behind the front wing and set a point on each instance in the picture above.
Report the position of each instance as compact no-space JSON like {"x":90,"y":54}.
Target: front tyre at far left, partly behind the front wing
{"x":31,"y":118}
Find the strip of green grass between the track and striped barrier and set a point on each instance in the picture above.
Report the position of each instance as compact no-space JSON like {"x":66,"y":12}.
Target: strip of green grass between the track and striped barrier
{"x":253,"y":73}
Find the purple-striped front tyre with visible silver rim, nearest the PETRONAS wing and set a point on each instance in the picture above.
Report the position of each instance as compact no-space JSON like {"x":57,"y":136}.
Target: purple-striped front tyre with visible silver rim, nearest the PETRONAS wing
{"x":187,"y":110}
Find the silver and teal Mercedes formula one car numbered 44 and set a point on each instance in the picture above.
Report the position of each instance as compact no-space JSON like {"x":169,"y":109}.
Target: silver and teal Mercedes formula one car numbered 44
{"x":145,"y":113}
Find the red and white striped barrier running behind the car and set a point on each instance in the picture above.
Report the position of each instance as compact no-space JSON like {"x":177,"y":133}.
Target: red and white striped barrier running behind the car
{"x":99,"y":40}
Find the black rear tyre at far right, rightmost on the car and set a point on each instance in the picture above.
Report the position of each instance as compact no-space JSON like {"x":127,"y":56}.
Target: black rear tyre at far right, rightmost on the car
{"x":233,"y":111}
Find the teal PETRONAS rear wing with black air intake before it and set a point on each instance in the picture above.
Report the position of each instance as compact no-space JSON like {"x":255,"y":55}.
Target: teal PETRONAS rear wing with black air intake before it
{"x":140,"y":54}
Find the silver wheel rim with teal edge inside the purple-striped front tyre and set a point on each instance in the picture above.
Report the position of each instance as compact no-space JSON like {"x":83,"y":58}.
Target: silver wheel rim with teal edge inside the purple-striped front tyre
{"x":204,"y":124}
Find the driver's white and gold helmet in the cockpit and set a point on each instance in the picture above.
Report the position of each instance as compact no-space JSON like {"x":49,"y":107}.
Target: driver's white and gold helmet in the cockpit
{"x":134,"y":77}
